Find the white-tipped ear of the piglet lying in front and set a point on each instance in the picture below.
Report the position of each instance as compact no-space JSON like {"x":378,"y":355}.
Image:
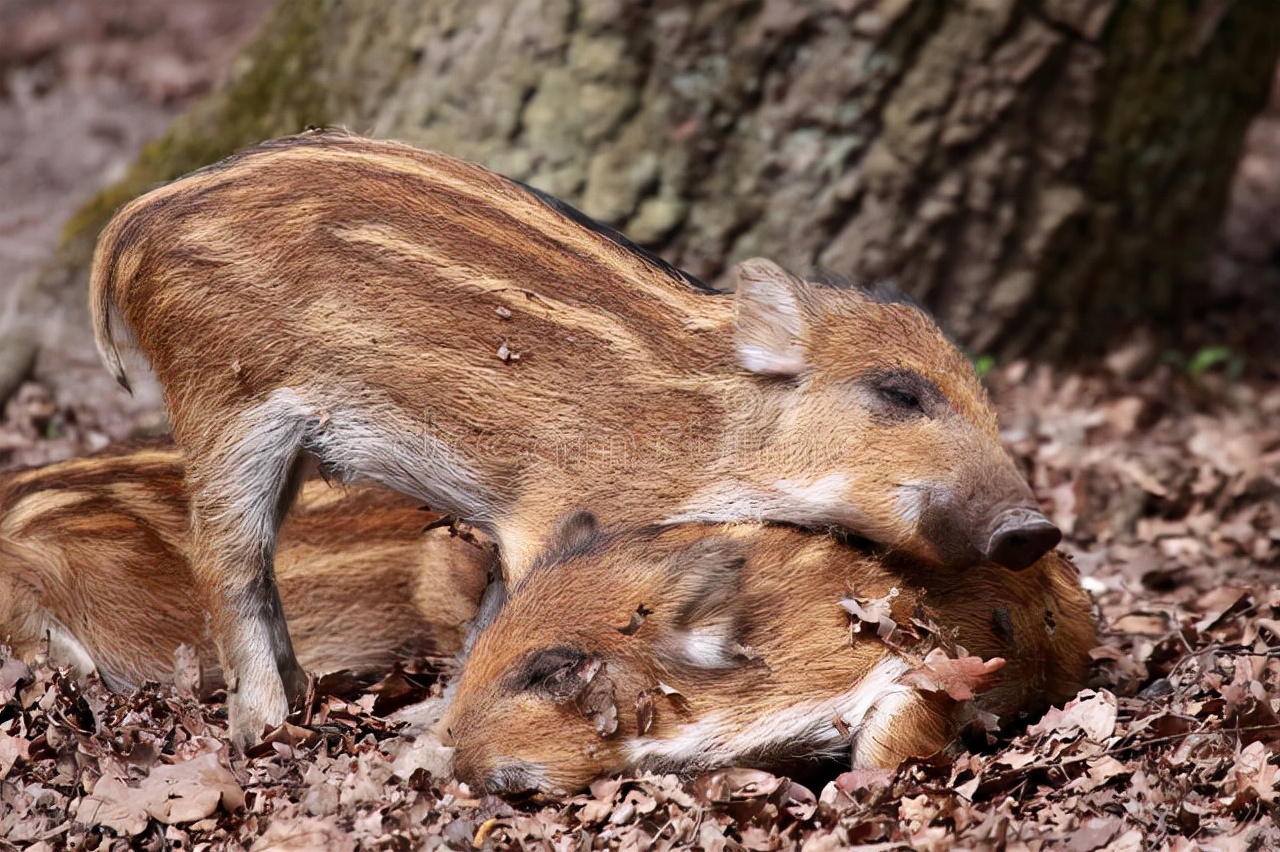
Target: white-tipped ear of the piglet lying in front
{"x":710,"y":611}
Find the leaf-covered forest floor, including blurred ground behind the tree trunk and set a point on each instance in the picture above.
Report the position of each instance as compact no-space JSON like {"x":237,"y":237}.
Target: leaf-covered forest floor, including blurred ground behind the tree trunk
{"x":1163,"y":470}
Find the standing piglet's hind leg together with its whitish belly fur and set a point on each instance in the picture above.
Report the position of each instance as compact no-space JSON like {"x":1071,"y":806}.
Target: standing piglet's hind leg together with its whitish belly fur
{"x":240,"y":492}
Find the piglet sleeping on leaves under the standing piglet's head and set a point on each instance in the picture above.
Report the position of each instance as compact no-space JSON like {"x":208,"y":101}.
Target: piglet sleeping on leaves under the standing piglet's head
{"x":693,"y":648}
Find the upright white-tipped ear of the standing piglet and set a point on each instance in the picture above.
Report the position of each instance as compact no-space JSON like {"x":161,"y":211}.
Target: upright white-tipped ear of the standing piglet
{"x":770,"y":328}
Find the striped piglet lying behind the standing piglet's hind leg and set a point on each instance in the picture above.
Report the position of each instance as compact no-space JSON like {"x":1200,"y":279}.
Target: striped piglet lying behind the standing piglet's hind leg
{"x":94,"y":572}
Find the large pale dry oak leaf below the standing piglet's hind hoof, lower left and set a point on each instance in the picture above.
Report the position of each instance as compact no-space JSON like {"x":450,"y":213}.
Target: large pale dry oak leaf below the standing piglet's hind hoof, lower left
{"x":175,"y":794}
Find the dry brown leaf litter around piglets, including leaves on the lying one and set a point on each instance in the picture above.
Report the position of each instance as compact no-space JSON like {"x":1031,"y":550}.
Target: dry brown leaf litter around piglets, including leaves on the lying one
{"x":1171,"y":501}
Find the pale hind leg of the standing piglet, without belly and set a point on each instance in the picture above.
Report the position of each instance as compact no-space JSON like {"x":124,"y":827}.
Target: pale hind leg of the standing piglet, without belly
{"x":239,"y":501}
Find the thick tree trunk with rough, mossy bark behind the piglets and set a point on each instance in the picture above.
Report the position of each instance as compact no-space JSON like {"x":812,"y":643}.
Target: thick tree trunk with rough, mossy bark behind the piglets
{"x":1043,"y":173}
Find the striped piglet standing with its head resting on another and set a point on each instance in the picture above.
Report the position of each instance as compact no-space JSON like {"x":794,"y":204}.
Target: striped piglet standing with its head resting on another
{"x":419,"y":322}
